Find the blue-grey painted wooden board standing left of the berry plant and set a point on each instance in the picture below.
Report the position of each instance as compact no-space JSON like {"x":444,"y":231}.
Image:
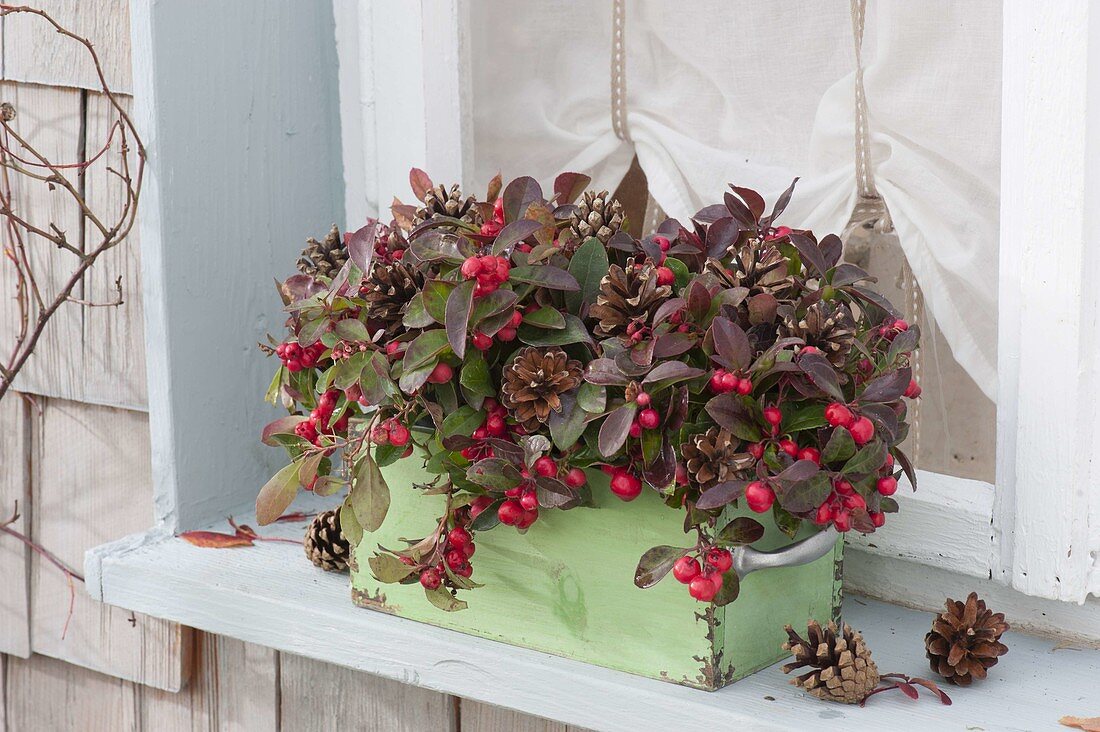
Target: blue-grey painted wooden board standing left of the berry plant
{"x":239,"y":106}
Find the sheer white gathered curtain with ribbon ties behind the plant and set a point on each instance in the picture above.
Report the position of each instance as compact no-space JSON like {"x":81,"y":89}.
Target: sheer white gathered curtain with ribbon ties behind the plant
{"x":756,"y":93}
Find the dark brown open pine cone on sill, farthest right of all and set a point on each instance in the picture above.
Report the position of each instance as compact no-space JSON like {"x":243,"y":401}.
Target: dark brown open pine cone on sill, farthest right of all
{"x":965,"y":641}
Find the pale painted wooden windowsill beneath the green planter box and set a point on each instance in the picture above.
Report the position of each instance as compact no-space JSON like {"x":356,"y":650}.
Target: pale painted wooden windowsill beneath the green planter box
{"x":270,"y":595}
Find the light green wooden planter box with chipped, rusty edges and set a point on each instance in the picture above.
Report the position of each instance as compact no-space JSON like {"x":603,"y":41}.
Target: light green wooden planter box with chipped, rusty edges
{"x":567,"y":588}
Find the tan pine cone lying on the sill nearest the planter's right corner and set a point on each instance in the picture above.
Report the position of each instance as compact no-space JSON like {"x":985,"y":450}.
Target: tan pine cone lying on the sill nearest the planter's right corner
{"x":841,"y":664}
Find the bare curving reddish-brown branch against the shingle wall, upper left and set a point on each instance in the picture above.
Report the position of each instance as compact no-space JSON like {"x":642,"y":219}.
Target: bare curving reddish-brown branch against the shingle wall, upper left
{"x":21,"y":161}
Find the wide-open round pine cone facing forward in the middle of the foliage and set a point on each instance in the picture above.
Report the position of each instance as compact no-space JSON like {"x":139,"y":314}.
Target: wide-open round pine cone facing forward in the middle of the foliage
{"x":534,"y":384}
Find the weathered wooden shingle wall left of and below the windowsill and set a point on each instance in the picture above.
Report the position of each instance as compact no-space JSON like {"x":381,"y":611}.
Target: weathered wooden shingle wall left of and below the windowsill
{"x":75,"y":453}
